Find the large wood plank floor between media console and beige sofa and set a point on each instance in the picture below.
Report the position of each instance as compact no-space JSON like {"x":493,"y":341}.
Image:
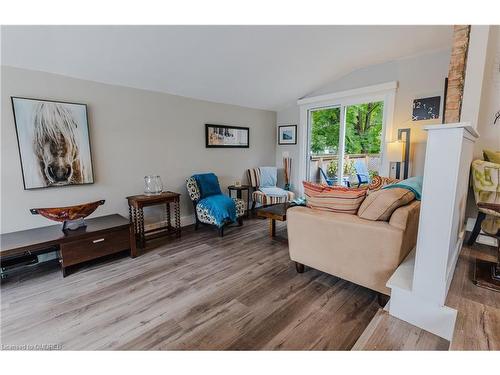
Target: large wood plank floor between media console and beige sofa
{"x":238,"y":292}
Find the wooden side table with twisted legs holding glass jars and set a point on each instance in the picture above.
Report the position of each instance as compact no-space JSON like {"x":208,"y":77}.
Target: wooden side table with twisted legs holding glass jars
{"x":136,"y":204}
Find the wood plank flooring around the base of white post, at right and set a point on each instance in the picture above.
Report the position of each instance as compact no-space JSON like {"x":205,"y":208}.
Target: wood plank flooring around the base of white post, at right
{"x":478,"y":319}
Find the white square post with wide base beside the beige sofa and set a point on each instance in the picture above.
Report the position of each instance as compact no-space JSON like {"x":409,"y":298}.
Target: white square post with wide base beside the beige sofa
{"x":420,"y":285}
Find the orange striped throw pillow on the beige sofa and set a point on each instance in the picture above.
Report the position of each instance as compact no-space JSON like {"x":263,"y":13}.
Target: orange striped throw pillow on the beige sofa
{"x":333,"y":198}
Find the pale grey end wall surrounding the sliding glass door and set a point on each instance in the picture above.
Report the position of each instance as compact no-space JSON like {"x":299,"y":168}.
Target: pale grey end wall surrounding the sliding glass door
{"x":420,"y":76}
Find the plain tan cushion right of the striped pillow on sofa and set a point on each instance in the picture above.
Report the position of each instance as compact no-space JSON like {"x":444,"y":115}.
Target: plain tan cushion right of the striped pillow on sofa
{"x":380,"y":204}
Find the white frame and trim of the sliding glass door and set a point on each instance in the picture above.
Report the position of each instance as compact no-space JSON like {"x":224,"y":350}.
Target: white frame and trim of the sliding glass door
{"x":385,"y":92}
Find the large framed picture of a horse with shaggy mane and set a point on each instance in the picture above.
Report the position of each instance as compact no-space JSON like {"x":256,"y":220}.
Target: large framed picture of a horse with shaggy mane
{"x":54,"y":143}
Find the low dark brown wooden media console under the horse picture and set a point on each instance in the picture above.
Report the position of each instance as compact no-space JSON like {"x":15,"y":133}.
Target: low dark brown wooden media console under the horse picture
{"x":102,"y":236}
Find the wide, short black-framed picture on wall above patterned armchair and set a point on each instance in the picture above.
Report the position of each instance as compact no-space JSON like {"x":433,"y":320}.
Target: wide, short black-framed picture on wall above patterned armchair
{"x":218,"y":136}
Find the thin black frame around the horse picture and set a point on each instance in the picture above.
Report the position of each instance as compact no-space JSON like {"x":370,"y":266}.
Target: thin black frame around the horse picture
{"x":91,"y":162}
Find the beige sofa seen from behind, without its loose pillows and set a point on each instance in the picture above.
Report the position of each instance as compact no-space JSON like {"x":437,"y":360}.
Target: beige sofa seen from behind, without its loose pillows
{"x":362,"y":251}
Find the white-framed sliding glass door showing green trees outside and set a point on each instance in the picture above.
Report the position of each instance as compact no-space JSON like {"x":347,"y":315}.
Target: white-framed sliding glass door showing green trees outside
{"x":345,"y":135}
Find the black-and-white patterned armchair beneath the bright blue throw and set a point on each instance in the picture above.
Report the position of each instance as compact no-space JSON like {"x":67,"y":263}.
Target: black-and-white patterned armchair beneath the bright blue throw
{"x":202,"y":214}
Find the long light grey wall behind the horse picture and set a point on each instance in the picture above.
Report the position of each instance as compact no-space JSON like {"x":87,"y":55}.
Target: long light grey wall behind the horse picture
{"x":133,"y":133}
